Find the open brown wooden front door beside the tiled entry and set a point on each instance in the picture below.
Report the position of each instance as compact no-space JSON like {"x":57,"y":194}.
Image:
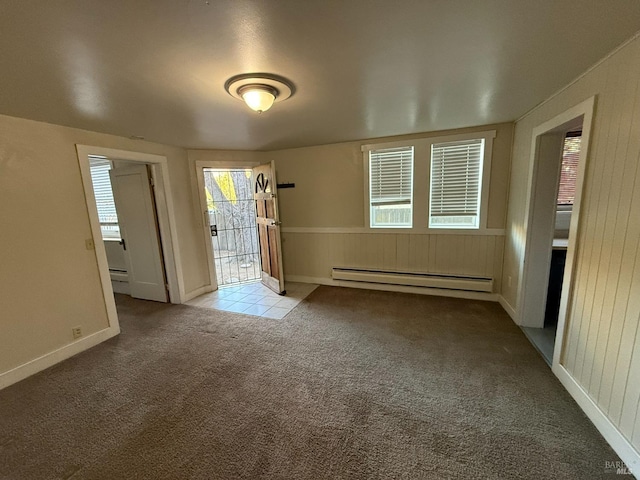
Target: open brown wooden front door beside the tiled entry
{"x":265,"y":195}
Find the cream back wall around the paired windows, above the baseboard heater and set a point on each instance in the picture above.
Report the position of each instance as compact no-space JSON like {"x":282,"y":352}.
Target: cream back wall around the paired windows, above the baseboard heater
{"x":323,"y":217}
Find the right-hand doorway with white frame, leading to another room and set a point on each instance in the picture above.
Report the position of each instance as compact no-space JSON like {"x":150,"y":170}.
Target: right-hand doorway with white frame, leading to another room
{"x":559,"y":153}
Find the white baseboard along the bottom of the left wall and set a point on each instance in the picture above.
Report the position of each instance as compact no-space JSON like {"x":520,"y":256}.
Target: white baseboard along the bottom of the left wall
{"x":48,"y":360}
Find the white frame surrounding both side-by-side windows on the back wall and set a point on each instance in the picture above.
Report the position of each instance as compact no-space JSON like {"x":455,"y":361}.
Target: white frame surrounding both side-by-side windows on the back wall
{"x":421,"y":188}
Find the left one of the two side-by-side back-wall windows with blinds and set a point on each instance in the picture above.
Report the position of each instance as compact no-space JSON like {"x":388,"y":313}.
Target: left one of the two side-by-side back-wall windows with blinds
{"x":391,"y":187}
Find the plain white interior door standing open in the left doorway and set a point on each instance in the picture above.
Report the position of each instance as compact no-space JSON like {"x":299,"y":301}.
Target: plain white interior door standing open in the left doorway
{"x":135,"y":206}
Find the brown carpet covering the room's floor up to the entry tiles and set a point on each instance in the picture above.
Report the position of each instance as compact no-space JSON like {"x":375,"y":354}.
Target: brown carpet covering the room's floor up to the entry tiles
{"x":351,"y":384}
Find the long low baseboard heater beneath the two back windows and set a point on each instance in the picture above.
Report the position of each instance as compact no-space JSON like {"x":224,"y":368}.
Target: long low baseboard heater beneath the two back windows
{"x":430,"y":280}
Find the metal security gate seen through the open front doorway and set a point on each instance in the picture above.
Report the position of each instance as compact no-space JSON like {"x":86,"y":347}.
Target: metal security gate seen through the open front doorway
{"x":232,"y":220}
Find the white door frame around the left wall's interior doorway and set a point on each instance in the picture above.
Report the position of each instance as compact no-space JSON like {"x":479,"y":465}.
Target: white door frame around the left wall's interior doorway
{"x":166,"y":219}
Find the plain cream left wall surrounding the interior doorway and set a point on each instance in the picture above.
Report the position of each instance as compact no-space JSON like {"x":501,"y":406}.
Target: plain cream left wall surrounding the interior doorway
{"x":49,"y":281}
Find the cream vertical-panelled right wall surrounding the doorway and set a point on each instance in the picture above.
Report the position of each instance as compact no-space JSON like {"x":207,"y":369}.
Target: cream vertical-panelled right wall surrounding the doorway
{"x":602,"y":340}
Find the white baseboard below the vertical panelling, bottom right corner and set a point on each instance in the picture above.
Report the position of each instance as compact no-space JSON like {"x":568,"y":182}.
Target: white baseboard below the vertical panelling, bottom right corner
{"x":629,"y":455}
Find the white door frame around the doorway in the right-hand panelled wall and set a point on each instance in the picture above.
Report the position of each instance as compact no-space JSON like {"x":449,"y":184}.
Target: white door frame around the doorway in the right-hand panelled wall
{"x":535,"y":262}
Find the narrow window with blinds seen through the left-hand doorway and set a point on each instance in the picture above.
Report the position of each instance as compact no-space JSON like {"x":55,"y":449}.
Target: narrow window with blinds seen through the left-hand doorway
{"x":99,"y":168}
